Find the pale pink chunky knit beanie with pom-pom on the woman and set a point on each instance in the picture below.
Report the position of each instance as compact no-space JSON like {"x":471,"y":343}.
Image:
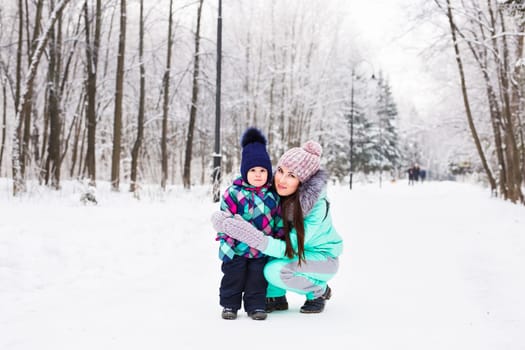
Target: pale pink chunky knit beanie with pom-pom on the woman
{"x":303,"y":161}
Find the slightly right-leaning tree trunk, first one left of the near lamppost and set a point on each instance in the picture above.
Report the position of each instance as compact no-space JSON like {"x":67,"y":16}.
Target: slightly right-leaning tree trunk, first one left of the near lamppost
{"x":194,"y":101}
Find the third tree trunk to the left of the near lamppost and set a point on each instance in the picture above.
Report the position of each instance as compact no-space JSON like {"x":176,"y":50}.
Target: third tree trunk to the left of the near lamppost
{"x":135,"y":152}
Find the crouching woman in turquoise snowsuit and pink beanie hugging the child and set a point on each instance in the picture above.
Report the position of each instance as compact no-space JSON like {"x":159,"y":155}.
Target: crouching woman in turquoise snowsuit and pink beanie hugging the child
{"x":308,"y":257}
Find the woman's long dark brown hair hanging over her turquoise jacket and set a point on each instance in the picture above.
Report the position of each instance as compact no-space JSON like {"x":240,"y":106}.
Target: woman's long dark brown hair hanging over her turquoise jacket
{"x":292,"y":204}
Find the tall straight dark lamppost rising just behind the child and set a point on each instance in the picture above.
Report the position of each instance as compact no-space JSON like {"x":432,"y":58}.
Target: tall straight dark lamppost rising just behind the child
{"x":216,"y":175}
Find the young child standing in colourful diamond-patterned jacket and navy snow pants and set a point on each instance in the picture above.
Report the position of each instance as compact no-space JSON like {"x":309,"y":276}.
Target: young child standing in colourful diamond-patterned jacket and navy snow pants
{"x":250,"y":197}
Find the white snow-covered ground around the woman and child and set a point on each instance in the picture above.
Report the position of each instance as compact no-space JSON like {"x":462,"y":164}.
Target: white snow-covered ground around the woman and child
{"x":433,"y":266}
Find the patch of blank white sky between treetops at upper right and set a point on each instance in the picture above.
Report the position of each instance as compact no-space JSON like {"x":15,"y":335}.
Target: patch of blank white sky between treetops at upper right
{"x":394,"y":44}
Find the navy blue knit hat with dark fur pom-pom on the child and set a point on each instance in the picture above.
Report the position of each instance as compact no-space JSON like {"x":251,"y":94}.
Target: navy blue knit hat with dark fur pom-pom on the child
{"x":254,"y":153}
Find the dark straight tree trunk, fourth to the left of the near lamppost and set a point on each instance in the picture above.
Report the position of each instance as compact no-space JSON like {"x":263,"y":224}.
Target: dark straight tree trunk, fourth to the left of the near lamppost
{"x":119,"y":93}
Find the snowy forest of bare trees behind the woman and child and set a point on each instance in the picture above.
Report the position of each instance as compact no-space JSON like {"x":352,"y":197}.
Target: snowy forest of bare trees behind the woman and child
{"x":125,"y":91}
